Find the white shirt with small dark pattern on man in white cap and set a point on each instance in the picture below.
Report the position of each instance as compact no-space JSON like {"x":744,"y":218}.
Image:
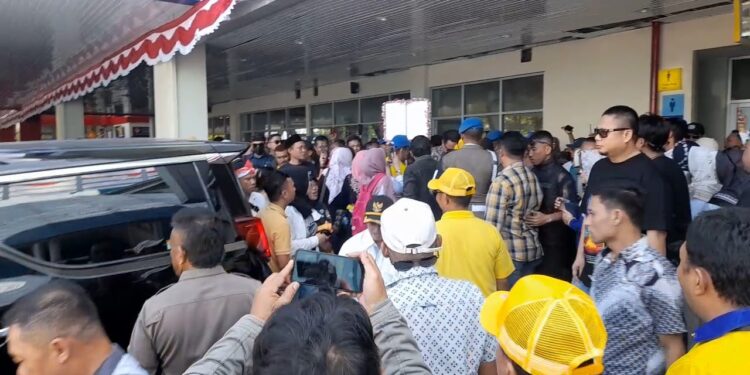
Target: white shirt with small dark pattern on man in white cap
{"x":443,"y":315}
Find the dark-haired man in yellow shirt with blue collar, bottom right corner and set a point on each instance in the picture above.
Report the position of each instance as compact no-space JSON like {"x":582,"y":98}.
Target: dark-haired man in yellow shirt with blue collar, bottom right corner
{"x":714,"y":273}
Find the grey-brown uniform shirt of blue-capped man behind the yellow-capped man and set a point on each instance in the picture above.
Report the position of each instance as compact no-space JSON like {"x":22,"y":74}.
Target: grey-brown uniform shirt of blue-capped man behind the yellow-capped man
{"x":477,"y":161}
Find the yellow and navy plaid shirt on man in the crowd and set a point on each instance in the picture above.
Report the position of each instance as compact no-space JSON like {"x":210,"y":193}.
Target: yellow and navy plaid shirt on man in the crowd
{"x":512,"y":196}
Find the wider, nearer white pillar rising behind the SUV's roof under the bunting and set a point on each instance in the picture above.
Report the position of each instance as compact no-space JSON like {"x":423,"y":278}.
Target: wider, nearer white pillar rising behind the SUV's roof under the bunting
{"x":181,"y":96}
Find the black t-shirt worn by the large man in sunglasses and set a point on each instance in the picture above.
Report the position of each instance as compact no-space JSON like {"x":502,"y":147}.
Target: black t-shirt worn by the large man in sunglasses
{"x":638,"y":172}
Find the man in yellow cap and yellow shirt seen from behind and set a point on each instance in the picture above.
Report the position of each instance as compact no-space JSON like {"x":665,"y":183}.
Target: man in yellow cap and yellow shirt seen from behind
{"x":472,"y":248}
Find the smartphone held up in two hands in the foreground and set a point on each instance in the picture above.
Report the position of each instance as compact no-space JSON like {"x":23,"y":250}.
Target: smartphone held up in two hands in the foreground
{"x":317,"y":271}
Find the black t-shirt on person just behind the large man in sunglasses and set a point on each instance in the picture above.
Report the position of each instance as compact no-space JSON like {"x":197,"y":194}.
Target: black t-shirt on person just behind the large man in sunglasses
{"x":679,"y":197}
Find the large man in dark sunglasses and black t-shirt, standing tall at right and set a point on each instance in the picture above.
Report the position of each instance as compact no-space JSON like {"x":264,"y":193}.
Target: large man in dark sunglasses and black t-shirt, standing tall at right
{"x":625,"y":167}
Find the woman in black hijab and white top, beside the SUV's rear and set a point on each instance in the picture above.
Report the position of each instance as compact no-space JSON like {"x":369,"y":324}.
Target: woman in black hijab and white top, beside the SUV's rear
{"x":301,"y":214}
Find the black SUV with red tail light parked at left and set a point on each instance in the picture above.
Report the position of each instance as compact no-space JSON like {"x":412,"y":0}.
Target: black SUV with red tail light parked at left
{"x":98,"y":212}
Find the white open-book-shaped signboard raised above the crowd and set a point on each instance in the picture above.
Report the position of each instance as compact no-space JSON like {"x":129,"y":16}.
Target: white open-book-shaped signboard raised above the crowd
{"x":406,"y":117}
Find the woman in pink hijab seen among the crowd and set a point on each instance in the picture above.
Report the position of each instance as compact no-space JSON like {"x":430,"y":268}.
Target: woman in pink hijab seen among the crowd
{"x":369,"y":172}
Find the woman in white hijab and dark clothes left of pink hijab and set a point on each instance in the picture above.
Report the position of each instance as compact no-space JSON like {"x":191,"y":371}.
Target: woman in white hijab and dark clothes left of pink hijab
{"x":341,"y":194}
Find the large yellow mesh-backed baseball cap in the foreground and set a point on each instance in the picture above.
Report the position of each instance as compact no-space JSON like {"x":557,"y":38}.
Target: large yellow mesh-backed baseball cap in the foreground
{"x":547,"y":326}
